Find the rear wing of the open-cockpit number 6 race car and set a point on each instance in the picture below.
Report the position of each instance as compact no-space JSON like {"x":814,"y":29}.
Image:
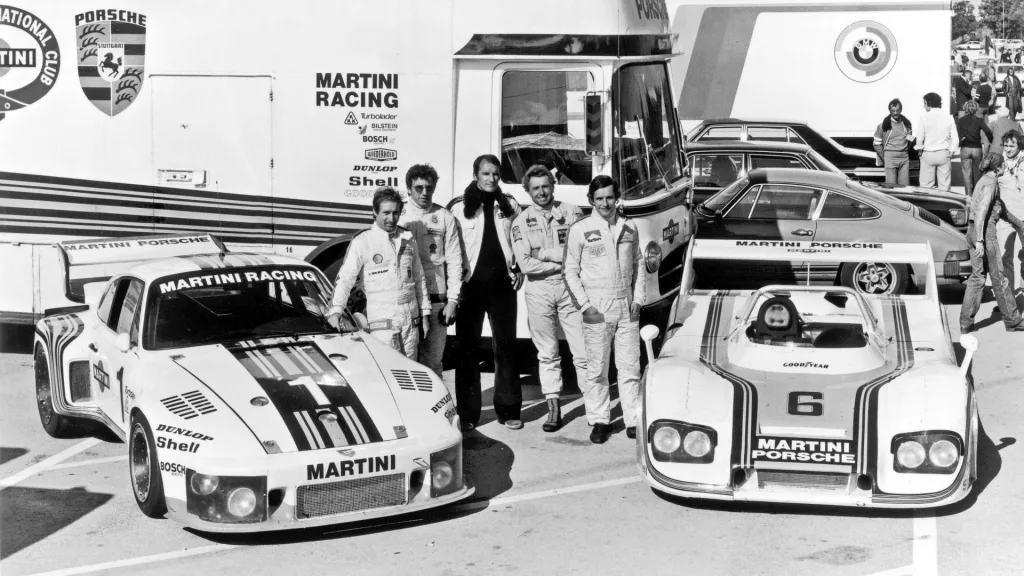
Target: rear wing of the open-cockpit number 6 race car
{"x":919,"y":256}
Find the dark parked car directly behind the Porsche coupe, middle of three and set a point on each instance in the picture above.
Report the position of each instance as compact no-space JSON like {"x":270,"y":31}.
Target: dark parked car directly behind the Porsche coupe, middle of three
{"x":715,"y":166}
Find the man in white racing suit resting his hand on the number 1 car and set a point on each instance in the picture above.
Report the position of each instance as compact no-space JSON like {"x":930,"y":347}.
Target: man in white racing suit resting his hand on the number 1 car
{"x":388,"y":260}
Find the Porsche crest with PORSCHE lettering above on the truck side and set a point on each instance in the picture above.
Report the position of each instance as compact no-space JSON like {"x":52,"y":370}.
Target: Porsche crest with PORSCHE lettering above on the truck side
{"x":111,"y":58}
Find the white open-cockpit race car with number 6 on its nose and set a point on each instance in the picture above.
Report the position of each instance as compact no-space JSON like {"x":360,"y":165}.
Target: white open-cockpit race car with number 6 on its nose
{"x":807,"y":394}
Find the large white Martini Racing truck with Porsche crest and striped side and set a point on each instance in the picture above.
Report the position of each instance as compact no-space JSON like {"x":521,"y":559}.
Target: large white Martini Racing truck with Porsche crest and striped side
{"x":271,"y":125}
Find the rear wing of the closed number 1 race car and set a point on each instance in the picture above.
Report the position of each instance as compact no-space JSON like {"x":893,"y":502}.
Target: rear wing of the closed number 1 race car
{"x":89,"y":262}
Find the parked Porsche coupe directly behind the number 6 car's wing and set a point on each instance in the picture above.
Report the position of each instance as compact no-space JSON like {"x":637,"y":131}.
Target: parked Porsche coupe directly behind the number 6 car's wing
{"x":780,"y":204}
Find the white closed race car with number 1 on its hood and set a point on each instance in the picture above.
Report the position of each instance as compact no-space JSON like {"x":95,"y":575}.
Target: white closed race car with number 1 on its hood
{"x":242,"y":409}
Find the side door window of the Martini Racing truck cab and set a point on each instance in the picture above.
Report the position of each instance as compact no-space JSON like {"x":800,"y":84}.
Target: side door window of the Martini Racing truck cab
{"x":543,"y":124}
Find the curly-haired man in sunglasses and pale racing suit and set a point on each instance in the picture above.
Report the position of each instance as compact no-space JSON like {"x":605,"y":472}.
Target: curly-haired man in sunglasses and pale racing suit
{"x":437,"y":235}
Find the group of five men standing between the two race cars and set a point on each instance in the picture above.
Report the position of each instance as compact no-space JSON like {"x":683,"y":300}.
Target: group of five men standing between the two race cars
{"x":424,"y":268}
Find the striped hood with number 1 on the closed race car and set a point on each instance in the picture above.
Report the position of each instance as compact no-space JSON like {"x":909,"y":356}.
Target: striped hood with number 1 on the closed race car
{"x":308,"y":393}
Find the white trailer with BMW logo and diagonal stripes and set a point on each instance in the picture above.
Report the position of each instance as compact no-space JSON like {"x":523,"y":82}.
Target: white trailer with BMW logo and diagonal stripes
{"x":833,"y":65}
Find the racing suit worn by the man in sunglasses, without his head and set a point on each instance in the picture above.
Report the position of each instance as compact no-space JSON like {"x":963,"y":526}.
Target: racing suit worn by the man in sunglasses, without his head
{"x":438,"y":237}
